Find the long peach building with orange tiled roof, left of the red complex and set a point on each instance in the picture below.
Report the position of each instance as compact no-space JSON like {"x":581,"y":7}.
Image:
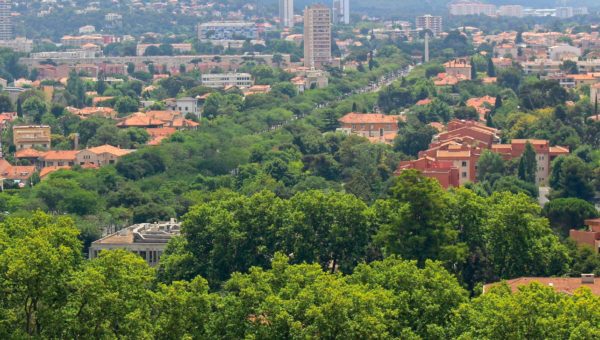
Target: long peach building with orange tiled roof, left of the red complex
{"x":382,"y":128}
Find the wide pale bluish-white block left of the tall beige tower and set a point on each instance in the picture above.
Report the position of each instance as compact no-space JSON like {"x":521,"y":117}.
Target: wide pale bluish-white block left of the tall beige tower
{"x":227,"y":30}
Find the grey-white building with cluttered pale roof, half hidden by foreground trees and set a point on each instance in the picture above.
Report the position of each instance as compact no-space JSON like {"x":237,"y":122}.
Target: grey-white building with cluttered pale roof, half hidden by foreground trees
{"x":148,"y":240}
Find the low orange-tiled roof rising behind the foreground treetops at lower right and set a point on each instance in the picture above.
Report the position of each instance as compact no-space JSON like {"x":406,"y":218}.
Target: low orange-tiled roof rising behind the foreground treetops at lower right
{"x":565,"y":285}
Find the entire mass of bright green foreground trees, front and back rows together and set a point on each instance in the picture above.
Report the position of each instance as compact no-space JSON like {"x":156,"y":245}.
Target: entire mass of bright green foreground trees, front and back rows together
{"x":49,"y":291}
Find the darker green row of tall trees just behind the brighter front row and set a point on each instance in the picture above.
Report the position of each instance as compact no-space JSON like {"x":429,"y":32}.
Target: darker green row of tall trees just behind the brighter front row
{"x":478,"y":239}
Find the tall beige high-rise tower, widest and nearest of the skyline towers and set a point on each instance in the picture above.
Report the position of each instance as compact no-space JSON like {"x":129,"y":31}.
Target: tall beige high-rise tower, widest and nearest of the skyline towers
{"x":317,"y":36}
